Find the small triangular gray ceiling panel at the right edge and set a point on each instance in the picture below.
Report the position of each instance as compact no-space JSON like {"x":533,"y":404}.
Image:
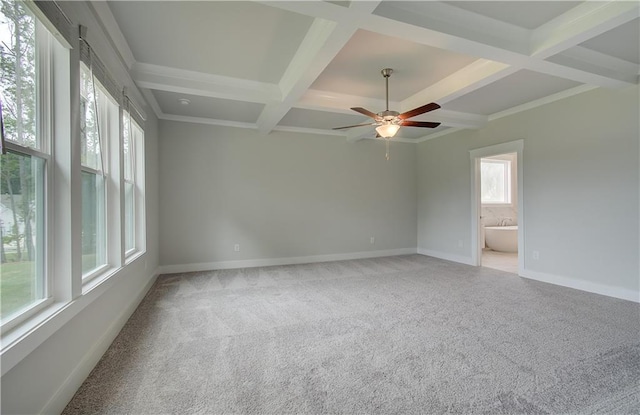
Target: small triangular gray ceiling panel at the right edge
{"x":622,"y":42}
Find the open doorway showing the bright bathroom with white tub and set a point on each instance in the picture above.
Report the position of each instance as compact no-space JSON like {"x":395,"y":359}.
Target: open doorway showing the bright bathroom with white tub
{"x":497,"y":209}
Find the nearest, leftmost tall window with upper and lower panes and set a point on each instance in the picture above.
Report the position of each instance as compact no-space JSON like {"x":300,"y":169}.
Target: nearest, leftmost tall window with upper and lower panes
{"x":24,"y":169}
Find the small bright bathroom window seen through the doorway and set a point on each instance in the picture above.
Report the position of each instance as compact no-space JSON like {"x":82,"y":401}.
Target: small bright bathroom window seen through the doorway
{"x":495,"y":181}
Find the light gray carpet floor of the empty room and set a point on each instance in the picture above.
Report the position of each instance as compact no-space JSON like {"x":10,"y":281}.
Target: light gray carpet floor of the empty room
{"x":404,"y":334}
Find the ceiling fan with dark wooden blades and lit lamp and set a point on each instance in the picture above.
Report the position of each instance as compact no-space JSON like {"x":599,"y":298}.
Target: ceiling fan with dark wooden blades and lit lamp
{"x":389,"y":122}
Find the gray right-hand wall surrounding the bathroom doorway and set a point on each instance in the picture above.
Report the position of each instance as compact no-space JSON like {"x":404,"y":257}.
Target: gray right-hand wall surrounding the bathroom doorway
{"x":581,"y":183}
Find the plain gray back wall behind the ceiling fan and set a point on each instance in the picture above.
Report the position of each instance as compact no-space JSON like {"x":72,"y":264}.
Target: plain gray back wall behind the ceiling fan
{"x":282,"y":195}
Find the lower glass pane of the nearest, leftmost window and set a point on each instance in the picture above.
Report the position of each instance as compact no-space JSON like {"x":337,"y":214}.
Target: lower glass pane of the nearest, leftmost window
{"x":22,"y":280}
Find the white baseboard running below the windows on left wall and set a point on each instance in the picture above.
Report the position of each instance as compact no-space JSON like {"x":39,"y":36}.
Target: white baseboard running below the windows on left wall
{"x":65,"y":392}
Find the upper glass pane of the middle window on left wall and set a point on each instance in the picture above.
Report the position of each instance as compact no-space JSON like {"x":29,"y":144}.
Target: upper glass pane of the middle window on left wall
{"x":90,"y":143}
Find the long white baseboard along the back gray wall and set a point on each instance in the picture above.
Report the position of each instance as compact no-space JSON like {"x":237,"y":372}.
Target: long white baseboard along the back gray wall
{"x":268,"y":262}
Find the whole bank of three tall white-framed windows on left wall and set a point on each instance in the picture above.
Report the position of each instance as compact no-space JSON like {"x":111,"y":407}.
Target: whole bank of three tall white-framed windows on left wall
{"x":63,"y":220}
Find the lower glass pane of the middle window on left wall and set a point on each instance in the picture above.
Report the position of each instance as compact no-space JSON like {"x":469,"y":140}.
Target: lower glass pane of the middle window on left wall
{"x":93,"y":222}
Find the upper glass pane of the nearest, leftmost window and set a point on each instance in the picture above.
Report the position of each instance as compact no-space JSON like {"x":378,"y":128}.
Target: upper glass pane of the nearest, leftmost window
{"x":18,"y":73}
